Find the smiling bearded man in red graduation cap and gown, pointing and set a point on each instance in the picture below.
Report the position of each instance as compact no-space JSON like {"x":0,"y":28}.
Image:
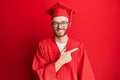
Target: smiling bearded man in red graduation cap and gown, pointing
{"x":61,"y":57}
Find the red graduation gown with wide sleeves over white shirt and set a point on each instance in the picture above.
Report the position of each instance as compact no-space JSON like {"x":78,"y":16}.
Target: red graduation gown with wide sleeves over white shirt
{"x":48,"y":53}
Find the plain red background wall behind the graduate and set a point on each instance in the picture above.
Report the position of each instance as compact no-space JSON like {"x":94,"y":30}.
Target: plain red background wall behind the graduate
{"x":23,"y":23}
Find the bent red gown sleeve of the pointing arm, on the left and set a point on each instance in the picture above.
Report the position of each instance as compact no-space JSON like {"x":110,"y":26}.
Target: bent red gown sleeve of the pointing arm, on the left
{"x":44,"y":69}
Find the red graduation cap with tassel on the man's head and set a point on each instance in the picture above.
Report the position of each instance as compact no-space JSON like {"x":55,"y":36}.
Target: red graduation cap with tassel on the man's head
{"x":60,"y":9}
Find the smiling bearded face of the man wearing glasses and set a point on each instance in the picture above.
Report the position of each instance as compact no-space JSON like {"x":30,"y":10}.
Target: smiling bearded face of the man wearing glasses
{"x":60,"y":25}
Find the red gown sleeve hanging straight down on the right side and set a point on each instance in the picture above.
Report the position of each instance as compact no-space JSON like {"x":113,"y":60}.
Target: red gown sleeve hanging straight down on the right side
{"x":84,"y":68}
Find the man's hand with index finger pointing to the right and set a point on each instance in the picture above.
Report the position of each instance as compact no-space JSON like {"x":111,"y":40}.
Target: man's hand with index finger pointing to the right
{"x":65,"y":57}
